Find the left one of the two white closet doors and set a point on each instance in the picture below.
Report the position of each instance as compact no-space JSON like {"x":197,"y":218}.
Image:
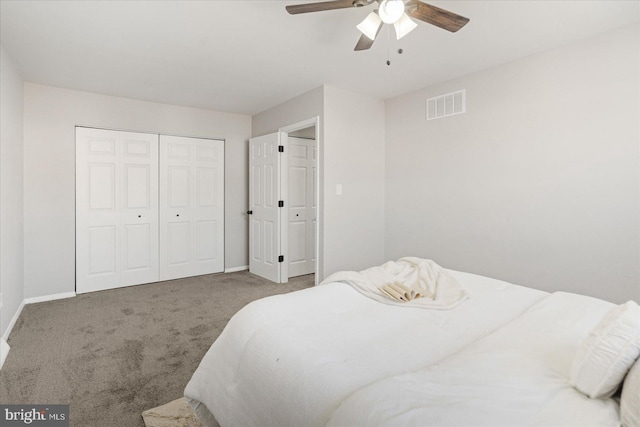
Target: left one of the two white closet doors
{"x":116,"y":209}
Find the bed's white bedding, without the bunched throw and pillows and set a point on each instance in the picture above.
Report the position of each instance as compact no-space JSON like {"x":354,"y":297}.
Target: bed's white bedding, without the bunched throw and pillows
{"x":330,"y":355}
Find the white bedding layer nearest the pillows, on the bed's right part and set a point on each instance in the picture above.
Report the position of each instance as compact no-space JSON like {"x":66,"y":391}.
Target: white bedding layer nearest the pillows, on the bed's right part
{"x":517,"y":376}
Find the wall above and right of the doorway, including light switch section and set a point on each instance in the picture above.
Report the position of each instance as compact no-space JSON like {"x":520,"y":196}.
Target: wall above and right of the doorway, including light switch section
{"x":352,"y":154}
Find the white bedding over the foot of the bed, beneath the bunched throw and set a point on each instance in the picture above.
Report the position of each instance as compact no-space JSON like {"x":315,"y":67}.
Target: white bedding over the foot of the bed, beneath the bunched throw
{"x":290,"y":360}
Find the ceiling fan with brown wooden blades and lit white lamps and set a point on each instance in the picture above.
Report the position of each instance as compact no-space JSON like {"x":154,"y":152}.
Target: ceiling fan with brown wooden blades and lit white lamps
{"x":395,"y":12}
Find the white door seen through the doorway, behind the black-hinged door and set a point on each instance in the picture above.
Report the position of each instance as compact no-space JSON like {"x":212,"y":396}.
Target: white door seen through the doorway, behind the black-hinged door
{"x":302,"y":159}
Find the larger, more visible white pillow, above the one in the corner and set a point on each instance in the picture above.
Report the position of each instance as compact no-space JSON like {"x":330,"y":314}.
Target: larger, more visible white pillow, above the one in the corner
{"x":606,"y":355}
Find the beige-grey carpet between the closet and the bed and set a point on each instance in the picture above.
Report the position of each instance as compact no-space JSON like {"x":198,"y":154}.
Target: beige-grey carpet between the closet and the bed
{"x":112,"y":354}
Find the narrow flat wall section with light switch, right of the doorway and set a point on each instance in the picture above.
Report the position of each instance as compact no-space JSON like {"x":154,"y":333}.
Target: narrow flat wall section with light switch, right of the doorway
{"x":354,"y":157}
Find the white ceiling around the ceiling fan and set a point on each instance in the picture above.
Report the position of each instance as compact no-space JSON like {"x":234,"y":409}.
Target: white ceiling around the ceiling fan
{"x":246,"y":56}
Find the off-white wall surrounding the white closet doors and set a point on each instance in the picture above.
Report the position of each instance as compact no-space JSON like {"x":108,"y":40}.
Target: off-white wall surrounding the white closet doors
{"x":50,"y":116}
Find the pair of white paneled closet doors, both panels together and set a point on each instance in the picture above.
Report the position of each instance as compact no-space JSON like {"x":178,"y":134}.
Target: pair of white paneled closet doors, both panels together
{"x":148,"y":207}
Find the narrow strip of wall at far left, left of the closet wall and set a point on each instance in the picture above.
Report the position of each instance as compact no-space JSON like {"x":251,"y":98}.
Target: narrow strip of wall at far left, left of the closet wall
{"x":11,"y":190}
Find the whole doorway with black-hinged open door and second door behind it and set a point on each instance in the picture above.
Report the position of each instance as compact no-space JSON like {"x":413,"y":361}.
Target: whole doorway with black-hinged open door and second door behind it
{"x":285,"y":204}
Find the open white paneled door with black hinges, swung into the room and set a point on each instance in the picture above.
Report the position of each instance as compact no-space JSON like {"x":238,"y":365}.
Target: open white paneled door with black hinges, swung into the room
{"x":264,"y":212}
